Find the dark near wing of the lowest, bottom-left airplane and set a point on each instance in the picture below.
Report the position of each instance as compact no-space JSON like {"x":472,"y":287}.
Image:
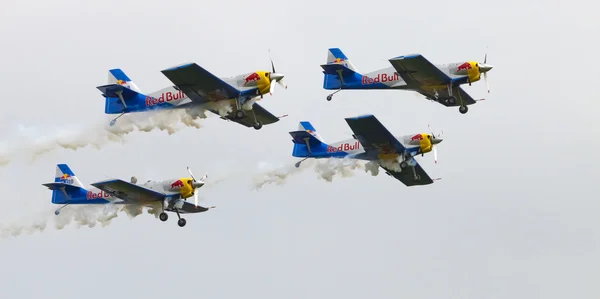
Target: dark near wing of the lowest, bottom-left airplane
{"x":128,"y":191}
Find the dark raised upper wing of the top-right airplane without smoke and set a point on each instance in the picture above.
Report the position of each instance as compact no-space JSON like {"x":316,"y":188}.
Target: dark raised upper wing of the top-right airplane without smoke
{"x":416,"y":70}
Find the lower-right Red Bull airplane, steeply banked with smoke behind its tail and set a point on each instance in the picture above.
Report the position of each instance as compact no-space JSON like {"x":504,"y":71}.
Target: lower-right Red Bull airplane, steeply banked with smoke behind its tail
{"x":372,"y":142}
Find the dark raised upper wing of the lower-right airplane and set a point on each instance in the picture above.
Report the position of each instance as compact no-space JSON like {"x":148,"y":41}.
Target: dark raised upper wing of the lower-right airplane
{"x":373,"y":136}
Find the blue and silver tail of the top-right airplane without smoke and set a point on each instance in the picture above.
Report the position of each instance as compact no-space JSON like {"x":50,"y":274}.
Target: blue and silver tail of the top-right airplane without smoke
{"x":338,"y":69}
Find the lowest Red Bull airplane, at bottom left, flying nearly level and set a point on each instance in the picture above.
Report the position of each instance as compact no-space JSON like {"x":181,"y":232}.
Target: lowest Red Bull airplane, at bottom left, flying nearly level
{"x":67,"y":189}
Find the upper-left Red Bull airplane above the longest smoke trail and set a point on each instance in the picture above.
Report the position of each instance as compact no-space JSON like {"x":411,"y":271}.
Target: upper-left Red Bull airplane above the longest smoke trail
{"x":194,"y":86}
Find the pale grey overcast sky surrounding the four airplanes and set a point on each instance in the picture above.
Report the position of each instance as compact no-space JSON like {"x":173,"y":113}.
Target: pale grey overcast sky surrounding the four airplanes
{"x":514,"y":216}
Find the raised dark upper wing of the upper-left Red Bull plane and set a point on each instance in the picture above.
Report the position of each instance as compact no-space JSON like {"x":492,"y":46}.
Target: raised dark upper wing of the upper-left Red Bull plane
{"x":199,"y":84}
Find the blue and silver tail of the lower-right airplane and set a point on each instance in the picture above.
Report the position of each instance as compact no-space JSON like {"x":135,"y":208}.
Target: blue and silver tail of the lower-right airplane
{"x":307,"y":142}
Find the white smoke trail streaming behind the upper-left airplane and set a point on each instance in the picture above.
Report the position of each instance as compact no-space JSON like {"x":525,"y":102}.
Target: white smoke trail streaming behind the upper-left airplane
{"x":32,"y":142}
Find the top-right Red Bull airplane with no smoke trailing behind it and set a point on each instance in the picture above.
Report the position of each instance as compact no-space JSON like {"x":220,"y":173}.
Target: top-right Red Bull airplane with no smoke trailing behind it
{"x":439,"y":83}
